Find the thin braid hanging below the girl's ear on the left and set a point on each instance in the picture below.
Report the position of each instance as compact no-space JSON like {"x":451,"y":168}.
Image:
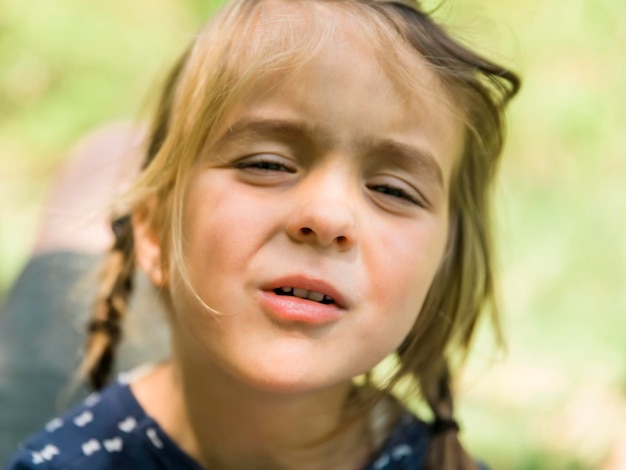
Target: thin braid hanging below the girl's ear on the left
{"x":105,"y":326}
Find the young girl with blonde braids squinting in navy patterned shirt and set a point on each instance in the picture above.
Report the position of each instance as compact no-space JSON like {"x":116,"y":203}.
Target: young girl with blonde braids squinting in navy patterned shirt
{"x":314,"y":201}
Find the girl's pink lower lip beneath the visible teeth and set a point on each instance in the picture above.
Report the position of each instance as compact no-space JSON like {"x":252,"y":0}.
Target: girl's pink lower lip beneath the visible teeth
{"x":288,"y":309}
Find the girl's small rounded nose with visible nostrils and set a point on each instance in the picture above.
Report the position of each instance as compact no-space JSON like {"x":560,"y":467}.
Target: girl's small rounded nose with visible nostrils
{"x":324,"y":213}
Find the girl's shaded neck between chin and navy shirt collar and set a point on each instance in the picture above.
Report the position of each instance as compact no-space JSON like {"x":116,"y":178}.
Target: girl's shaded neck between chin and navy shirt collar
{"x":226,"y":425}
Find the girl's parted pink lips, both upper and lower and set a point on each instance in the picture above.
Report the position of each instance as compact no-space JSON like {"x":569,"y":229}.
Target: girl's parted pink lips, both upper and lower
{"x":288,"y":309}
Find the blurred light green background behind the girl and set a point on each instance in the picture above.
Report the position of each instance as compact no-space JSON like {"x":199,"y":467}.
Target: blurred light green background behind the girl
{"x":557,"y":398}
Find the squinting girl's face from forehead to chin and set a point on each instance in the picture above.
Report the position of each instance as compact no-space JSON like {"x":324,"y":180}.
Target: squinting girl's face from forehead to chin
{"x":315,"y":224}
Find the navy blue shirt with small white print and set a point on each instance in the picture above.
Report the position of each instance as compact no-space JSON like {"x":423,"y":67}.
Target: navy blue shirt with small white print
{"x":111,"y":430}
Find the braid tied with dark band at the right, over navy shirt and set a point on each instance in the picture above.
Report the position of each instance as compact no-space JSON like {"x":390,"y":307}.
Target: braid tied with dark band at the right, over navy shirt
{"x":445,"y":451}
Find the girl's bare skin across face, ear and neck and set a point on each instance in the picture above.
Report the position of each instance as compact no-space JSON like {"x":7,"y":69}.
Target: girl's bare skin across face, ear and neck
{"x":332,"y":178}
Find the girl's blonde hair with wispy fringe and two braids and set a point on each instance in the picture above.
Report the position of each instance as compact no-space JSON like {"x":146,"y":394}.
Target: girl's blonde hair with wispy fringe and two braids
{"x":247,"y":42}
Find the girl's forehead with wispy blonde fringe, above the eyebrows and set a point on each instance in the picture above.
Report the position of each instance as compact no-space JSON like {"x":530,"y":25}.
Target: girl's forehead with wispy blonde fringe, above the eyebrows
{"x":261,"y":50}
